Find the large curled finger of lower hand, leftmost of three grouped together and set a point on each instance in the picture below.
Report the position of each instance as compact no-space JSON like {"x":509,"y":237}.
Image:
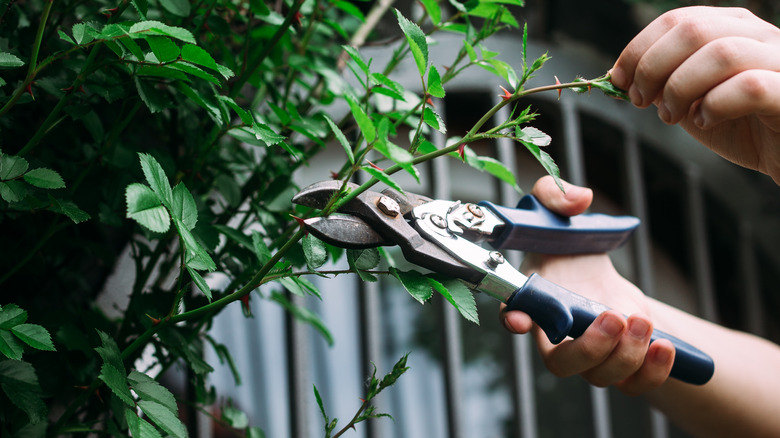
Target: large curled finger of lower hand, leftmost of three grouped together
{"x":575,"y":356}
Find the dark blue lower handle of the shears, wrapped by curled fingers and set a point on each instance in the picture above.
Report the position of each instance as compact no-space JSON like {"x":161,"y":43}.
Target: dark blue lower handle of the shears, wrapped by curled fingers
{"x":561,"y":313}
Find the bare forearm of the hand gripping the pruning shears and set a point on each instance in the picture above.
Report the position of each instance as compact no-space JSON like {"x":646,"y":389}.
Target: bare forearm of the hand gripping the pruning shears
{"x":742,"y":397}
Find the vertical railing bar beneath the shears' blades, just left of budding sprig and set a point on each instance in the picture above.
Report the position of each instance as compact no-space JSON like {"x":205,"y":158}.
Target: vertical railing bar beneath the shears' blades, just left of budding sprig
{"x":299,"y":379}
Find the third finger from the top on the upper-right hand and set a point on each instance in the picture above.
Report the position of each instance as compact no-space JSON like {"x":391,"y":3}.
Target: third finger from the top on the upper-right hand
{"x":711,"y":65}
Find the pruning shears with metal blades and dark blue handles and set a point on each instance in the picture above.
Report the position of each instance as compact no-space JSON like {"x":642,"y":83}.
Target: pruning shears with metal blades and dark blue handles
{"x":445,"y":237}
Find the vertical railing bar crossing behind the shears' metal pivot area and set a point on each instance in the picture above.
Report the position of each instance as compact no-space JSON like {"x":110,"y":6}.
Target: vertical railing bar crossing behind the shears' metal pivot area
{"x":453,"y":351}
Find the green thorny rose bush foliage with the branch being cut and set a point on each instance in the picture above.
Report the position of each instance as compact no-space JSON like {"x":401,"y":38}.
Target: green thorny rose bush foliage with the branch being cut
{"x":173,"y":130}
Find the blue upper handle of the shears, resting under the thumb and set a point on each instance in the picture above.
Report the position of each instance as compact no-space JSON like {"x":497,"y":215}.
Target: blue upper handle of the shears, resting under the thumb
{"x":532,"y":227}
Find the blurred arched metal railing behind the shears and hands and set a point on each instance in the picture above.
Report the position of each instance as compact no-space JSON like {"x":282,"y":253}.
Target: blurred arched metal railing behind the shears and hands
{"x":470,"y":381}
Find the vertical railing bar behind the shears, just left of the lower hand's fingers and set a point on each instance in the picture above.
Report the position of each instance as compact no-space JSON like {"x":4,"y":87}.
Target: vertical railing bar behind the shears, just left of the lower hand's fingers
{"x":525,"y":408}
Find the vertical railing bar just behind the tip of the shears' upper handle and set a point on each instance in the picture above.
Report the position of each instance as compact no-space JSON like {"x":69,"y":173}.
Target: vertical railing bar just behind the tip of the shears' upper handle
{"x":642,"y":249}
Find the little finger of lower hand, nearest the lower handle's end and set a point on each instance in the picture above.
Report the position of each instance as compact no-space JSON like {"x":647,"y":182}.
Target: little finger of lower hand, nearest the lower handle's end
{"x":654,"y":371}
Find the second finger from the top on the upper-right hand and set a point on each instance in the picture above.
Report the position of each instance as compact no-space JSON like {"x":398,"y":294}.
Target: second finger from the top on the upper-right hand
{"x":677,"y":45}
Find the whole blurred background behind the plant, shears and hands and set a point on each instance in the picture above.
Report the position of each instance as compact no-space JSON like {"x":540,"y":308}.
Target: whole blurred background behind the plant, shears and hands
{"x":709,"y":244}
